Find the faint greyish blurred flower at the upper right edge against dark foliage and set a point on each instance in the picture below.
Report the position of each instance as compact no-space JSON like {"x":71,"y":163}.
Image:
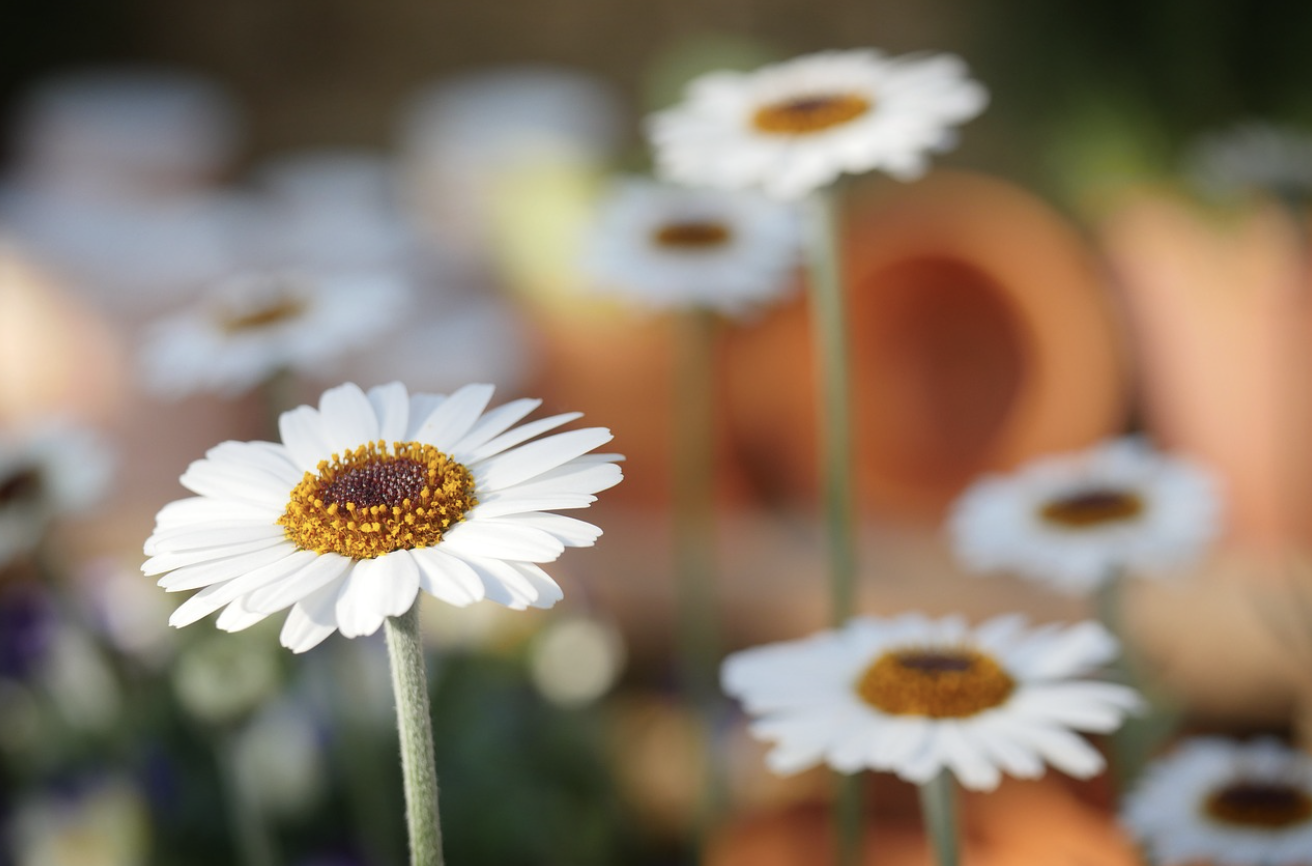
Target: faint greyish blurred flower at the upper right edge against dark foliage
{"x":1254,"y":158}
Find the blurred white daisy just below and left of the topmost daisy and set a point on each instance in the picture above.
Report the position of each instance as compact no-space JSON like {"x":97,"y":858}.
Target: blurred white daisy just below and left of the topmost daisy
{"x":671,"y":247}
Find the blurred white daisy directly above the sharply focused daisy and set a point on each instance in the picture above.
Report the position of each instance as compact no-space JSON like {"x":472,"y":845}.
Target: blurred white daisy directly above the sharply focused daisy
{"x":255,"y":326}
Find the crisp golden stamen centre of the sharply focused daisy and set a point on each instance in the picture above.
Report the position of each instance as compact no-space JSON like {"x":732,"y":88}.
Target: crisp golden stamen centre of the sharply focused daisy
{"x":371,"y":502}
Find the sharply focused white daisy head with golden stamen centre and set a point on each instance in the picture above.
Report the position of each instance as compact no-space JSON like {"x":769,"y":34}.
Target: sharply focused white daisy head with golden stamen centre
{"x":373,"y":498}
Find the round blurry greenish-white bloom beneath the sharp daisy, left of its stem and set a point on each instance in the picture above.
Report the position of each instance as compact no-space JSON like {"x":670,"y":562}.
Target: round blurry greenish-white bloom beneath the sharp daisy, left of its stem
{"x":221,"y":682}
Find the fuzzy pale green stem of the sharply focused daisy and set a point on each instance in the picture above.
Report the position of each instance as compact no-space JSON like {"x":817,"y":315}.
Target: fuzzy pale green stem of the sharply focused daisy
{"x":415,"y":728}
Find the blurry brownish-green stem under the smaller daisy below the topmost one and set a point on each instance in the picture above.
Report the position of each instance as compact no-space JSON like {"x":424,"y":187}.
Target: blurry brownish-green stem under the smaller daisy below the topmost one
{"x":695,"y":540}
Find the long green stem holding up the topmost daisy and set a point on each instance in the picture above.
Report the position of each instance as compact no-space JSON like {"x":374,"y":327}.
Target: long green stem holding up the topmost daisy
{"x":830,"y":338}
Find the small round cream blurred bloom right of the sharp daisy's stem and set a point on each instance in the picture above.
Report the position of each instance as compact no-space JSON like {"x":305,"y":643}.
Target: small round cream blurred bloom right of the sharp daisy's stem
{"x":577,"y":659}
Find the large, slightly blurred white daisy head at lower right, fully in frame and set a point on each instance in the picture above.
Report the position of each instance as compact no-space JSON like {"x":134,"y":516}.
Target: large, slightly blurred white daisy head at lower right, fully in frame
{"x":919,"y":696}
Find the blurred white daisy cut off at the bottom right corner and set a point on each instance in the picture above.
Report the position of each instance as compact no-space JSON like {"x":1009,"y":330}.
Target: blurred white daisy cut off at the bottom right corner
{"x":1225,"y":804}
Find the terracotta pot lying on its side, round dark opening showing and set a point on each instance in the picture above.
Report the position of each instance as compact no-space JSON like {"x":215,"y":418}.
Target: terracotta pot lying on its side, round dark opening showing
{"x":982,"y":337}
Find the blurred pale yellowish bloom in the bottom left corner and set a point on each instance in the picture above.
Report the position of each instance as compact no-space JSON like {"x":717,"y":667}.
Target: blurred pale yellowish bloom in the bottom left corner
{"x":103,"y":825}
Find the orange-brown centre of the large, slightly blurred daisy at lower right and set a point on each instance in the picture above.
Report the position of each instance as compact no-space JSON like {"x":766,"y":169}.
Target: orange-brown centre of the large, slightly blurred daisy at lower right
{"x":940,"y":683}
